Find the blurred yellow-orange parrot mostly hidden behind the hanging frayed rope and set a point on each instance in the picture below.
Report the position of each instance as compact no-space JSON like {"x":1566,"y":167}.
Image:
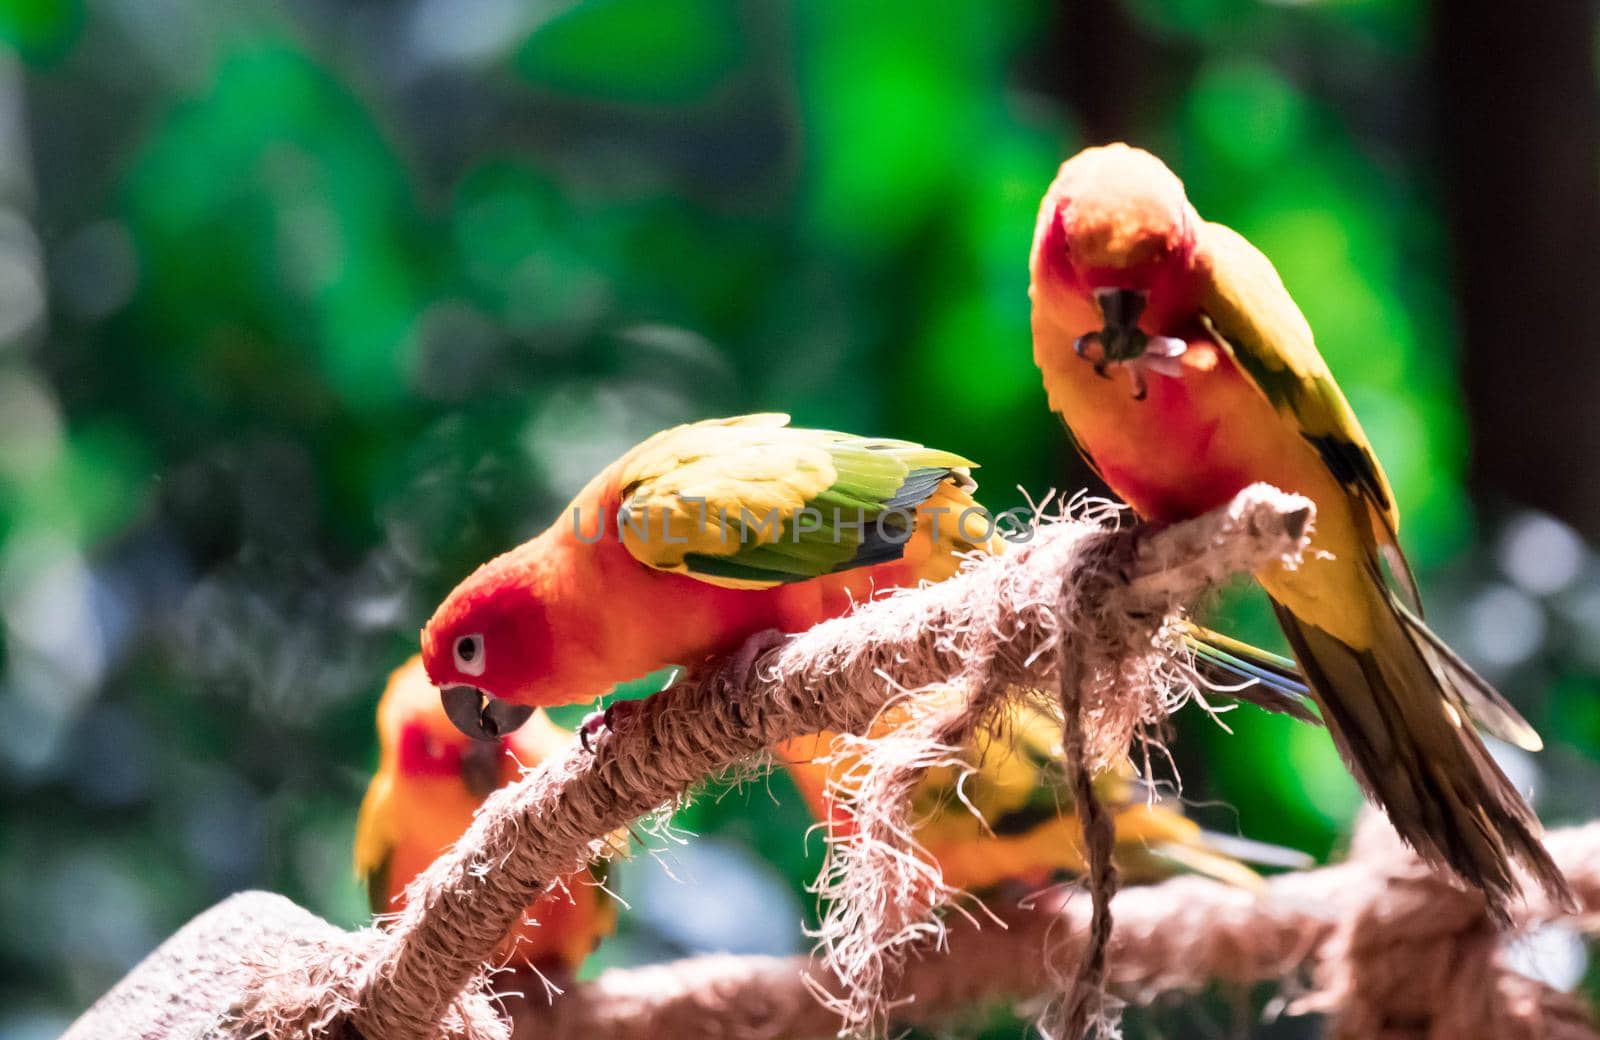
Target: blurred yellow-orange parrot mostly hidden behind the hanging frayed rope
{"x":1025,"y":831}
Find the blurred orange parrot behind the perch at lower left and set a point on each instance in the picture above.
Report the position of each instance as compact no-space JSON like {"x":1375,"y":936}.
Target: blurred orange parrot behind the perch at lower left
{"x":430,"y":782}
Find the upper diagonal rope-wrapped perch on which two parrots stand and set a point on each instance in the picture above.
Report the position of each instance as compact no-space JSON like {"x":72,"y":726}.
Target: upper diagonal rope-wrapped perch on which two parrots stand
{"x":425,"y":978}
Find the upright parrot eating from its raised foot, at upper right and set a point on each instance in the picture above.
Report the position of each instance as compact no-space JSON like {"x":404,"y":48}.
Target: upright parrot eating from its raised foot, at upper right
{"x":1185,"y":374}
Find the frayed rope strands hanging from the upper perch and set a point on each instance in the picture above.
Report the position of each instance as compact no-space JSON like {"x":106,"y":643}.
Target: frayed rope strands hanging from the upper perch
{"x":1108,"y":650}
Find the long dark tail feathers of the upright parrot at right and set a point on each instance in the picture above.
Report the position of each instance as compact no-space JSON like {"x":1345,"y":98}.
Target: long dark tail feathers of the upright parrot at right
{"x":1394,"y":711}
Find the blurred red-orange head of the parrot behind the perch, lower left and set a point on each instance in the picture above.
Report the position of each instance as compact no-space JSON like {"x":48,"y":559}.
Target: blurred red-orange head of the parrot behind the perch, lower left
{"x":414,"y":727}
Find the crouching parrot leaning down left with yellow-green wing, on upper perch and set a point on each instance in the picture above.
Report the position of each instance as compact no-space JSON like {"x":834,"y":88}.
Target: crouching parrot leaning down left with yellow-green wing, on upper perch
{"x":705,"y":540}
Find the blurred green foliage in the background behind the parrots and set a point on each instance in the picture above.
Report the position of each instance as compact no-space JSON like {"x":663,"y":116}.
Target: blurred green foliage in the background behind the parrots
{"x":314,"y":308}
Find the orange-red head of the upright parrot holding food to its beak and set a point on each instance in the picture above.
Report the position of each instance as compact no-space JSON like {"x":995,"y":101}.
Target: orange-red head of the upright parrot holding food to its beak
{"x":1116,"y":228}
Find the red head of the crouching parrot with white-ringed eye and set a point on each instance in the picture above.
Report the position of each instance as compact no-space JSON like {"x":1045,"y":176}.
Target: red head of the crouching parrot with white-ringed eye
{"x":489,"y":650}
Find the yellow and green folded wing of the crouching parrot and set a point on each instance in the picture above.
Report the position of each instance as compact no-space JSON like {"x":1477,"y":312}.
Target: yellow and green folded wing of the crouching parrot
{"x":756,"y":503}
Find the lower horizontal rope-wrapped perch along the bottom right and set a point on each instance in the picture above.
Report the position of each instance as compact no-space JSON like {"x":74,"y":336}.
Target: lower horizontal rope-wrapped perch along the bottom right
{"x":1398,"y":953}
